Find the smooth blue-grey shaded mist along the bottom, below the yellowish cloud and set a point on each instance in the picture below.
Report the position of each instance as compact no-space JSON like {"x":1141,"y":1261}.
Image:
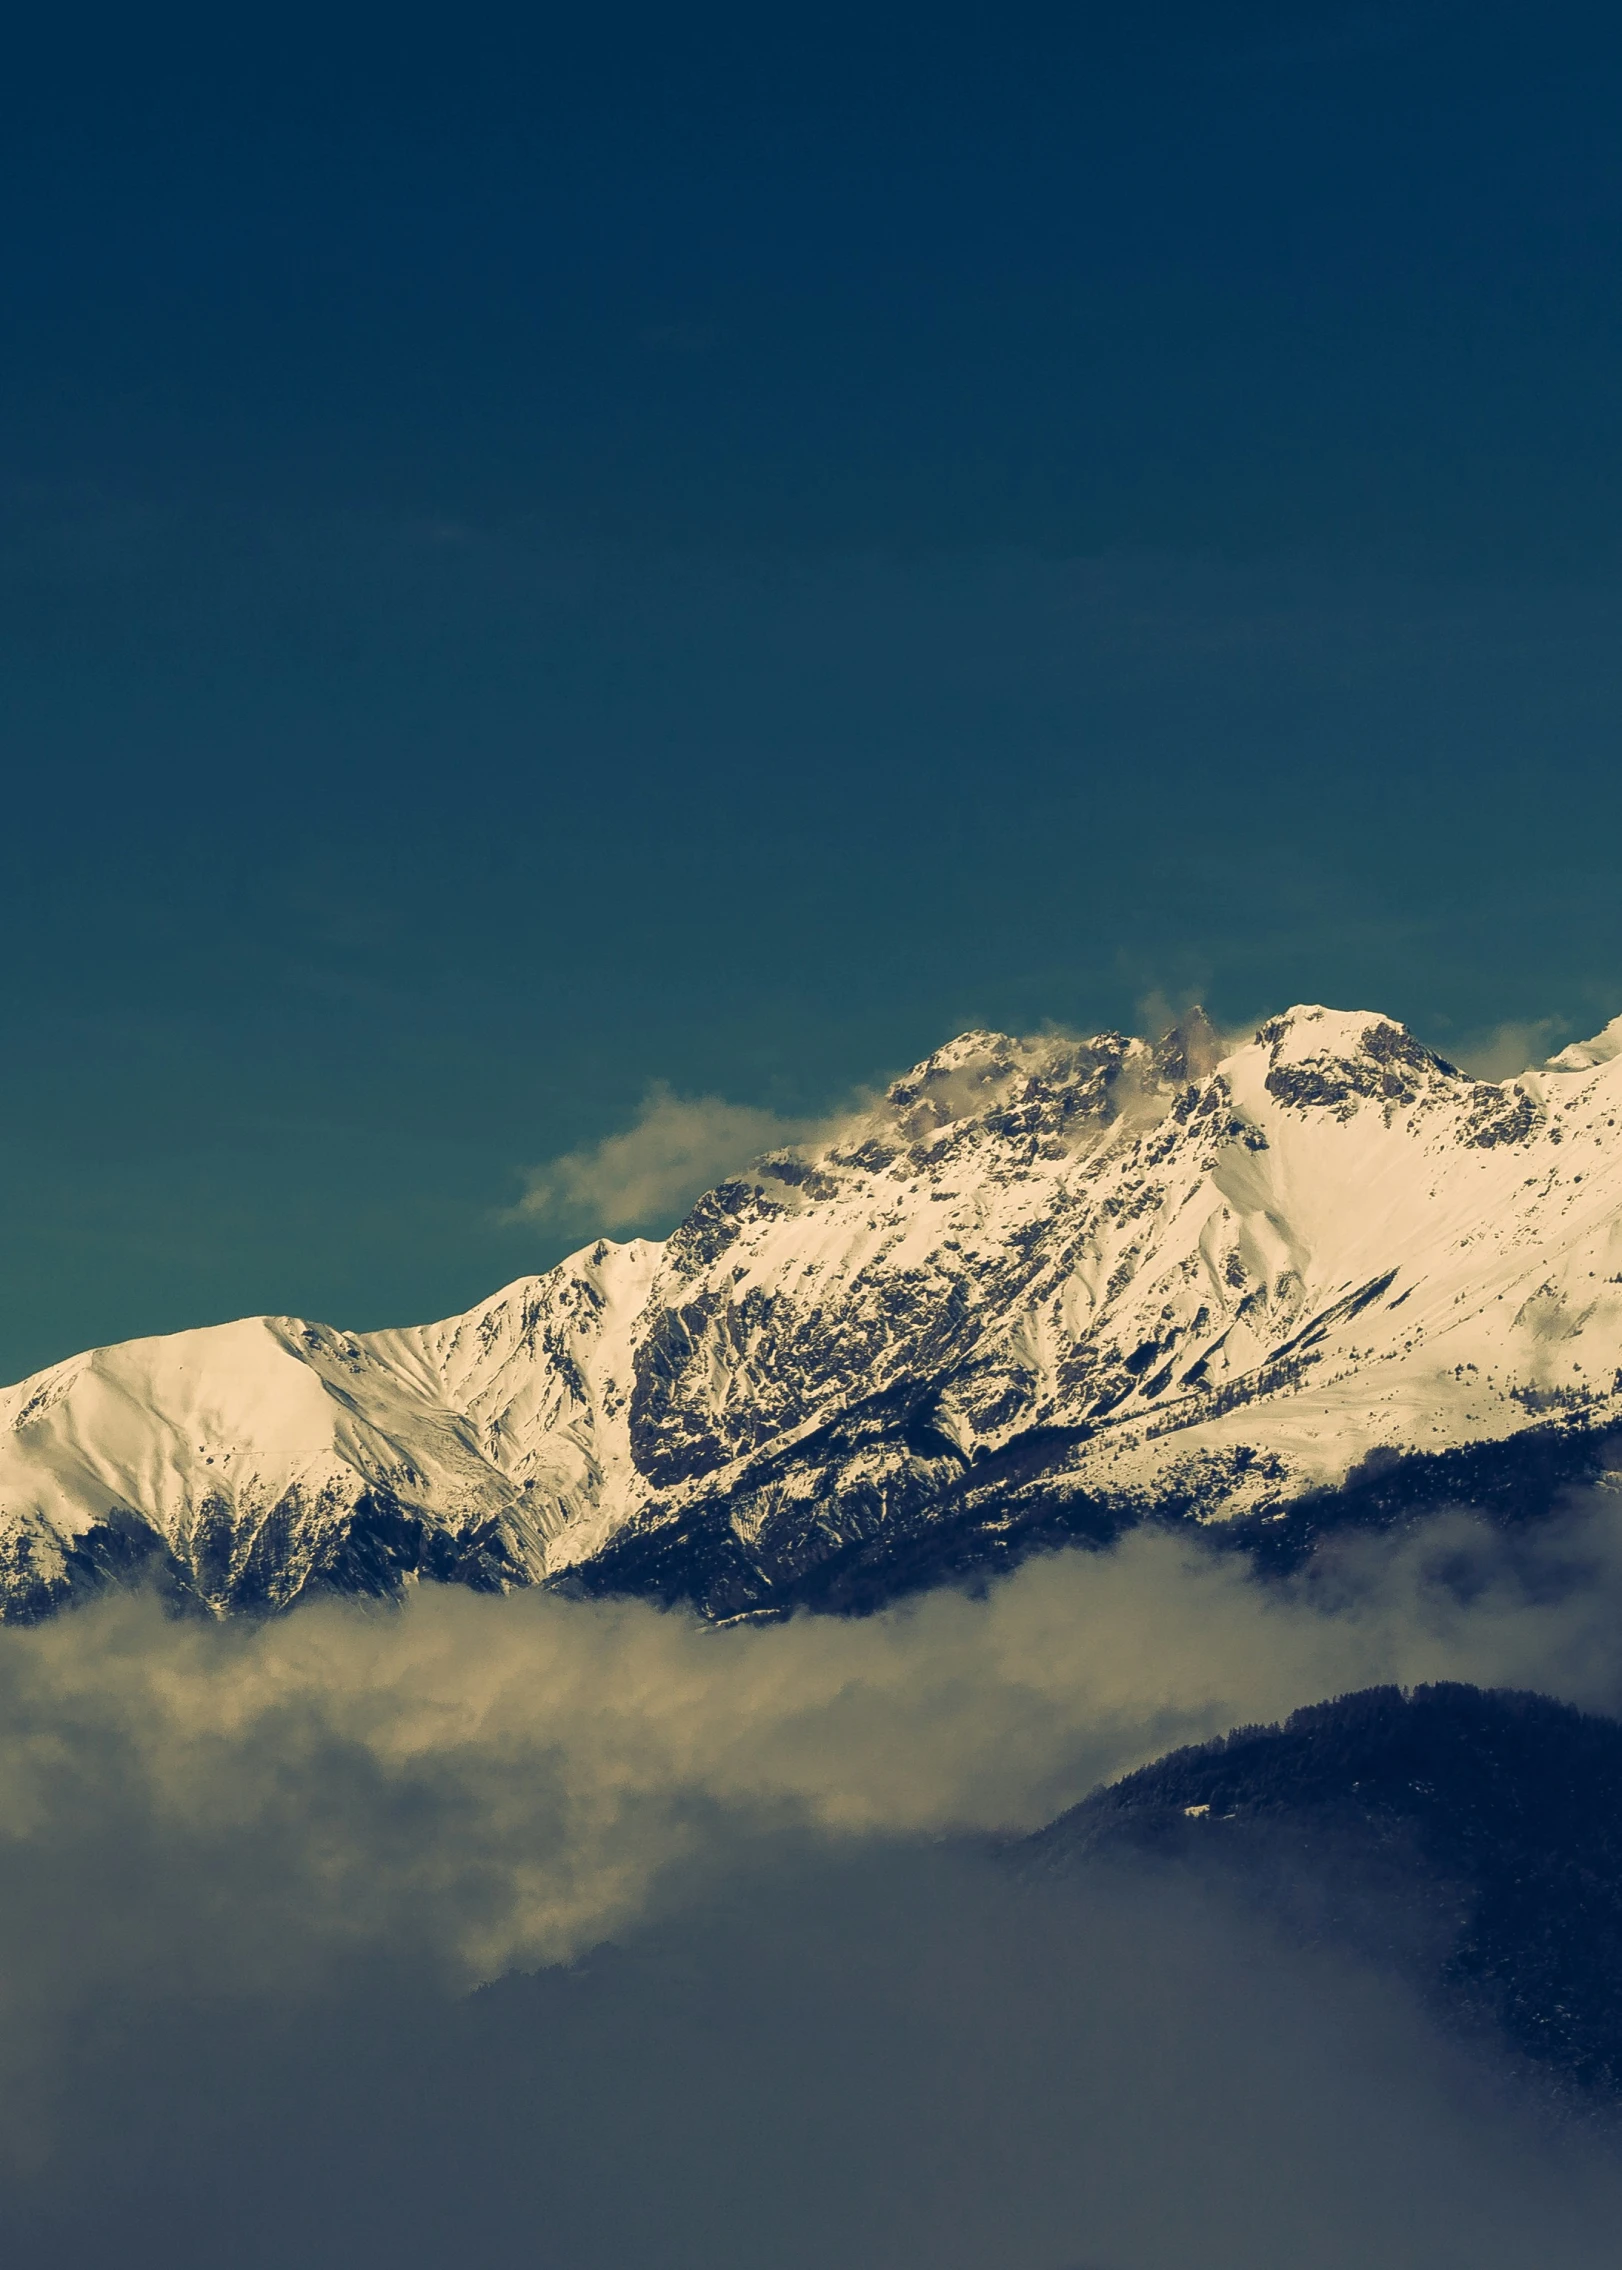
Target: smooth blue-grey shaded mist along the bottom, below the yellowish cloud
{"x":877,"y":2062}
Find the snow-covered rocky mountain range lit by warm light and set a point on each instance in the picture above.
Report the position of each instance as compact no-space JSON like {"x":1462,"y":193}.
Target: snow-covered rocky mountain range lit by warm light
{"x":1040,"y":1281}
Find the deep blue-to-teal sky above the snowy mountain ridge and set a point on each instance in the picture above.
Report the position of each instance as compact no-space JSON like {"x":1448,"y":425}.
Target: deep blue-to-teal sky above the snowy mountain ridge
{"x":548,"y":555}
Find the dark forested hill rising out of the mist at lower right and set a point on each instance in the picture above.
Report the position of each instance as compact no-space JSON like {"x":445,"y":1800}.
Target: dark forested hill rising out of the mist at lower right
{"x":1476,"y":1840}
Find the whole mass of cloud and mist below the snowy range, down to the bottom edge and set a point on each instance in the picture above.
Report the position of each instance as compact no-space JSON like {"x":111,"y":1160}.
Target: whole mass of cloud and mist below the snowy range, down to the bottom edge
{"x":350,"y":1813}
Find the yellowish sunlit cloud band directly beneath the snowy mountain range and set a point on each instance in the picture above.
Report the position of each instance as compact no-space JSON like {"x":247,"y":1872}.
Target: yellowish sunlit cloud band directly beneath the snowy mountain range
{"x":498,"y":1783}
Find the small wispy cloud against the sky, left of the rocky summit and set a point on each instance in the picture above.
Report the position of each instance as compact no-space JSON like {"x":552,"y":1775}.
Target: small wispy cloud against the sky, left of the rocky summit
{"x":677,"y":1150}
